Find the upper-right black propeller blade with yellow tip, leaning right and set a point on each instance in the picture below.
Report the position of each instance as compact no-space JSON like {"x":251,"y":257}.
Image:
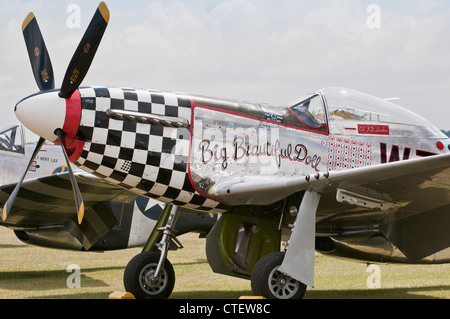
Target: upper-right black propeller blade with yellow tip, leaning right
{"x":84,"y":54}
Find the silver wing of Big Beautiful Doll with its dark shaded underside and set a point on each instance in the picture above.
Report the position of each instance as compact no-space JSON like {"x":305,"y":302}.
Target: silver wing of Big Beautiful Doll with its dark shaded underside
{"x":406,"y":201}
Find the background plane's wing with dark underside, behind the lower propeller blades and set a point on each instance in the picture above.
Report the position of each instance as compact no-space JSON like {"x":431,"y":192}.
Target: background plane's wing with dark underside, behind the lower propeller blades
{"x":49,"y":201}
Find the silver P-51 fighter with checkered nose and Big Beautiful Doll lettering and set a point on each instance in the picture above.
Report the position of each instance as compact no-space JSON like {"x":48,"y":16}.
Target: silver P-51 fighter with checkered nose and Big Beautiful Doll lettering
{"x":337,"y":171}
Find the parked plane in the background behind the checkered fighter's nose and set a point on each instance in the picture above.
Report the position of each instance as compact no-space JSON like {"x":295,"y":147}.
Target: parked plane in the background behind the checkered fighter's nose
{"x":43,"y":212}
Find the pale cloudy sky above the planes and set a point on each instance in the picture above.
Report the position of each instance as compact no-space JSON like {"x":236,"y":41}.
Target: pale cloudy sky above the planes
{"x":254,"y":50}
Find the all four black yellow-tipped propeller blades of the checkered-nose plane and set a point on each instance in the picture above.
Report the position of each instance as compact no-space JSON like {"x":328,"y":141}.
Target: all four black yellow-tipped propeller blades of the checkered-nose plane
{"x":76,"y":71}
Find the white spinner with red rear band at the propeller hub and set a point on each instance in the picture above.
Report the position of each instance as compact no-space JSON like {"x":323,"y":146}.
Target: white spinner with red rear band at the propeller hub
{"x":45,"y":112}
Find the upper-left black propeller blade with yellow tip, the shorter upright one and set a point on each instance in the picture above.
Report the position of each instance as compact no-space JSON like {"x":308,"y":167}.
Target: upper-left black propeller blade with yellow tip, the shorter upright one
{"x":37,"y":51}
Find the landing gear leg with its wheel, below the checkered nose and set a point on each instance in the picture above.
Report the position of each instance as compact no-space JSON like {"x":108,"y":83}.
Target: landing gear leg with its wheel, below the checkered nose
{"x":149,"y":275}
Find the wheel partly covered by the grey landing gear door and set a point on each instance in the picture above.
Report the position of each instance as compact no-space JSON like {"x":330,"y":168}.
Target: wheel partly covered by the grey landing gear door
{"x":268,"y":282}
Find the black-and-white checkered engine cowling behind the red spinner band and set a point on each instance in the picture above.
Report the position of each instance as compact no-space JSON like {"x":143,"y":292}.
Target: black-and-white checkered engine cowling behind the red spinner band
{"x":140,"y":139}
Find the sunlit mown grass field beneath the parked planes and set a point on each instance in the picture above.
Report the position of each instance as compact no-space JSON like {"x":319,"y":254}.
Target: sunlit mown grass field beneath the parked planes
{"x":29,"y":272}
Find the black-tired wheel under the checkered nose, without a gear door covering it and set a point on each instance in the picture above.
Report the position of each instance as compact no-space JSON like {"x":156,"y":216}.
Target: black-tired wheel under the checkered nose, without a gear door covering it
{"x":137,"y":276}
